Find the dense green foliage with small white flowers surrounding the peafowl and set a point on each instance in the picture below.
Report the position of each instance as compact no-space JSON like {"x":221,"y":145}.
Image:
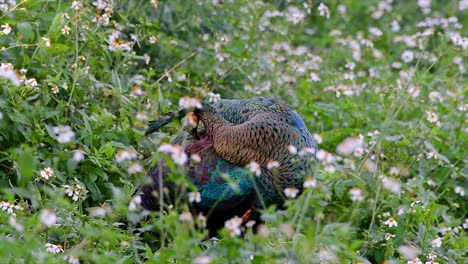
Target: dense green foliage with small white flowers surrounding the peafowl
{"x":79,"y":81}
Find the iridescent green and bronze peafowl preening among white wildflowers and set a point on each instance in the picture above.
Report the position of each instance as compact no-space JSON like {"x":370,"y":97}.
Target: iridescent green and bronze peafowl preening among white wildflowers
{"x":262,"y":132}
